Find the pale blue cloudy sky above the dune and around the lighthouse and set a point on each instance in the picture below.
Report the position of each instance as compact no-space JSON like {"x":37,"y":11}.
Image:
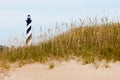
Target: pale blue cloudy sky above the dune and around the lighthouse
{"x":45,"y":13}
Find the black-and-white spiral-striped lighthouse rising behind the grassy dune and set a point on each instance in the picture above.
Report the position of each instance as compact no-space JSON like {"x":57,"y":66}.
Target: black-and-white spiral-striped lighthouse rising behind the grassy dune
{"x":29,"y":30}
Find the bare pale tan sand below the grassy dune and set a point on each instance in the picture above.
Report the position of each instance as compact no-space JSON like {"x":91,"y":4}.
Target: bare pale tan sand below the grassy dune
{"x":71,"y":70}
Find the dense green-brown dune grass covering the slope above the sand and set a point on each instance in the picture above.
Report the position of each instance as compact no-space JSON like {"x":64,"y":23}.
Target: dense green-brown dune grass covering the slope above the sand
{"x":87,"y":43}
